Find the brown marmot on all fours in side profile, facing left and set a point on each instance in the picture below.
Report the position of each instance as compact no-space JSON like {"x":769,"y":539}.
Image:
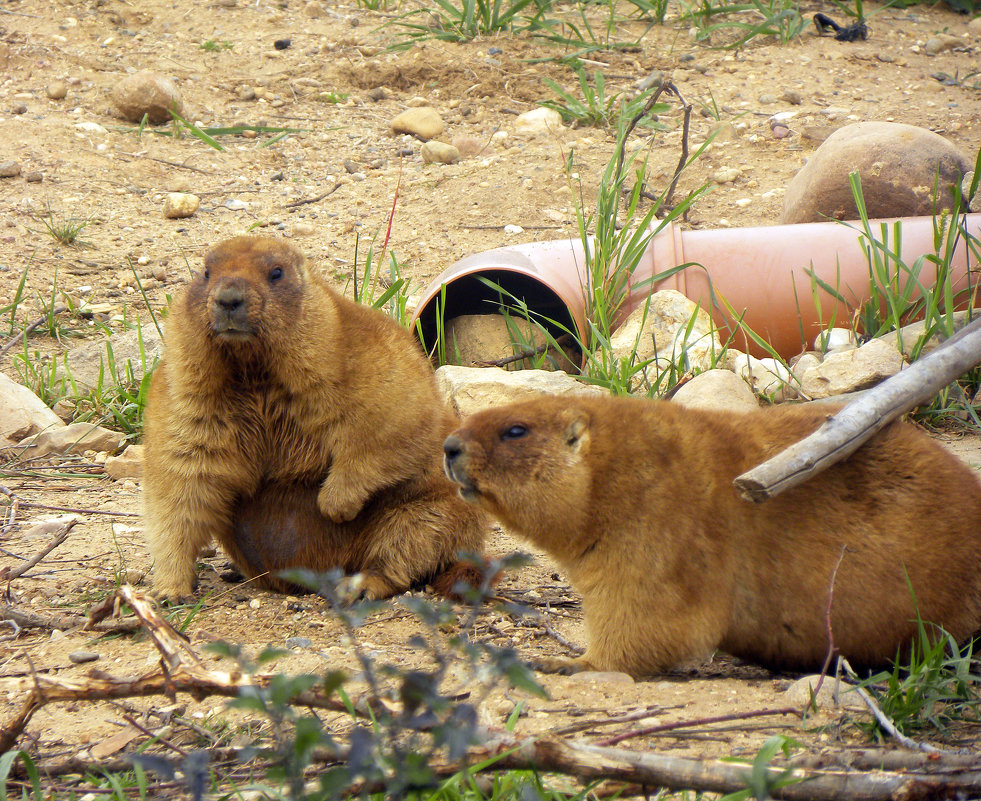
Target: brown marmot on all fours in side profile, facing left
{"x":634,"y":499}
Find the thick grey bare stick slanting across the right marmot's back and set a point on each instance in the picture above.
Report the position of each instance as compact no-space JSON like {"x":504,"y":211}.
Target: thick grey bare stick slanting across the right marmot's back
{"x":843,"y":433}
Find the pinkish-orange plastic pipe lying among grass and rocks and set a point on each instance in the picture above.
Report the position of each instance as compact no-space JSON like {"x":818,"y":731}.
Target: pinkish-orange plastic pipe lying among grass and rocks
{"x":755,"y":269}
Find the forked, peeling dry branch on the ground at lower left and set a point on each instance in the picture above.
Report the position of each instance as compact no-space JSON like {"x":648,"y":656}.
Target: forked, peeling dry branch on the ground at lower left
{"x":181,"y":670}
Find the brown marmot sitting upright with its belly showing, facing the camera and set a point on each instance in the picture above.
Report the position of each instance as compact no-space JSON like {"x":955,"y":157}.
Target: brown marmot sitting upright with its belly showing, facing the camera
{"x":297,"y":428}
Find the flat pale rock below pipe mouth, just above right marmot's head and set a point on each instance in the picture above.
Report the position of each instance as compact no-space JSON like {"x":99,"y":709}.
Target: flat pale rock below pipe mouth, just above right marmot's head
{"x":470,"y":389}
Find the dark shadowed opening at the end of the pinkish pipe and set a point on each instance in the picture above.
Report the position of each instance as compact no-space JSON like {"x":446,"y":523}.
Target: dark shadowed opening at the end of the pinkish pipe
{"x":468,"y":294}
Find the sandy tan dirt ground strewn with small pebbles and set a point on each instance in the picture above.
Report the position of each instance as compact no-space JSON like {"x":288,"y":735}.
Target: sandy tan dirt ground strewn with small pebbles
{"x":115,"y":180}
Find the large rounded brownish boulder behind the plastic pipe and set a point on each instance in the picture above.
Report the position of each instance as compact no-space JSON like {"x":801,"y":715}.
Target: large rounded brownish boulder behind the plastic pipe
{"x":898,"y":165}
